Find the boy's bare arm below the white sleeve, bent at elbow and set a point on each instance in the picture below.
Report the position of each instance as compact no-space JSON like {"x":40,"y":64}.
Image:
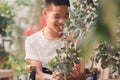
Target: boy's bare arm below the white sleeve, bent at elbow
{"x":39,"y":74}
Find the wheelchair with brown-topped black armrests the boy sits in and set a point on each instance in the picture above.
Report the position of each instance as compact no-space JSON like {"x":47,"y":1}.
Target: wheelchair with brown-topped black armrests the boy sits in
{"x":91,"y":74}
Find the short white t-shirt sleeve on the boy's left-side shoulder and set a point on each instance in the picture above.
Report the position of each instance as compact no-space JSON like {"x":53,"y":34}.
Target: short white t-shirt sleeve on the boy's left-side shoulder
{"x":31,"y":50}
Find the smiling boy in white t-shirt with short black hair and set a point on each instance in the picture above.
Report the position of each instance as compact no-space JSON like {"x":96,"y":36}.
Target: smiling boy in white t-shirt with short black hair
{"x":41,"y":46}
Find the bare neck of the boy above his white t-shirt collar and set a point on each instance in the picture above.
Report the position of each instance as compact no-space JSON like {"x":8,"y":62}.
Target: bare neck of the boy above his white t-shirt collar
{"x":50,"y":35}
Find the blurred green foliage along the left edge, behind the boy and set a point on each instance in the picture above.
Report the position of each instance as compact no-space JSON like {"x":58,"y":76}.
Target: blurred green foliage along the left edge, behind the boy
{"x":9,"y":60}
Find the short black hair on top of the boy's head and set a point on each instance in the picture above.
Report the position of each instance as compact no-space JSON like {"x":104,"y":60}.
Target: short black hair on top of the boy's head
{"x":47,"y":3}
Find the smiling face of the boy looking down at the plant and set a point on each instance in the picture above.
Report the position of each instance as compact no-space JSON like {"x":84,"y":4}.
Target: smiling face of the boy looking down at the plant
{"x":55,"y":17}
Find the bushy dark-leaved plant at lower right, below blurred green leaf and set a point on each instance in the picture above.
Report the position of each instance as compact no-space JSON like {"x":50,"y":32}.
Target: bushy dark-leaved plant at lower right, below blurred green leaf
{"x":109,"y":56}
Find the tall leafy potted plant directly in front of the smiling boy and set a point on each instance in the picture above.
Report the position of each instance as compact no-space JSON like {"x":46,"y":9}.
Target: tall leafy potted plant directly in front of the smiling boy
{"x":76,"y":26}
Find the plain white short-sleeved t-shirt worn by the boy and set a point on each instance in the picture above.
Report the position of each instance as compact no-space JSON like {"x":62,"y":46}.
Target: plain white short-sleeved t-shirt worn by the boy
{"x":37,"y":47}
